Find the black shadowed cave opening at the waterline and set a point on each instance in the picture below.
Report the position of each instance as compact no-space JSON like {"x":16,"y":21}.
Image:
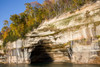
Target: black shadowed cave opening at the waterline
{"x":40,"y":55}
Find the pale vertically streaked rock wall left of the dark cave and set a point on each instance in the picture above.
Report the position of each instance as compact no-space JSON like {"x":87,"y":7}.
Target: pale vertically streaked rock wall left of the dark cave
{"x":16,"y":53}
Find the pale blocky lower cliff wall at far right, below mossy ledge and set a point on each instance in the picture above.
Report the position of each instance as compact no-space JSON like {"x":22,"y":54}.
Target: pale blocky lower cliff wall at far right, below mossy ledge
{"x":86,"y":53}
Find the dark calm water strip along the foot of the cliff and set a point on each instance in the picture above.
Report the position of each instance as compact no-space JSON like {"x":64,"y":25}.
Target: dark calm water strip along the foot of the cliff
{"x":48,"y":65}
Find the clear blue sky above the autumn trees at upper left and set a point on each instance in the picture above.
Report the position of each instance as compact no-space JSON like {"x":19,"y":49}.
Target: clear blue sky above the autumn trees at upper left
{"x":10,"y":7}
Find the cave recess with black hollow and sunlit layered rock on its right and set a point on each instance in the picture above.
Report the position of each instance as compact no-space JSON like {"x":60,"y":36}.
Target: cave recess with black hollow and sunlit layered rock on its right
{"x":45,"y":53}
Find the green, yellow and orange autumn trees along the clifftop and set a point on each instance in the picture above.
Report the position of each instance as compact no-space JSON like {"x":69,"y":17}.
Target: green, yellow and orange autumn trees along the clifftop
{"x":33,"y":16}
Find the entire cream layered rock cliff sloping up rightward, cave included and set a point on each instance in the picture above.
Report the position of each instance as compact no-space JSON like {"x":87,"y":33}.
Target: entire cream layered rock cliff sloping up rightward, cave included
{"x":70,"y":37}
